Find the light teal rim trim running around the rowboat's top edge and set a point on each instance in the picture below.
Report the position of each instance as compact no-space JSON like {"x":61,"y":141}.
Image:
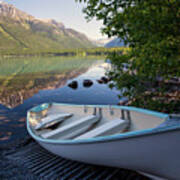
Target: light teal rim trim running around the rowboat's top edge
{"x":152,"y":131}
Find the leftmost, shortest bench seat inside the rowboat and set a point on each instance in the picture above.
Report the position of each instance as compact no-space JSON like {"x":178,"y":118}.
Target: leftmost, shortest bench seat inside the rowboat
{"x":52,"y":119}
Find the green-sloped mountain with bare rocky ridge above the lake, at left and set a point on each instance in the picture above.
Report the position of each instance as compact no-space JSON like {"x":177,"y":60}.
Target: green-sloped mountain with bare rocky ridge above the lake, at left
{"x":20,"y":31}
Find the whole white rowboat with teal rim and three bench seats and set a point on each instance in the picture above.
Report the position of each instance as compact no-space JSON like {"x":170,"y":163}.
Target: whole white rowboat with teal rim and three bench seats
{"x":116,"y":136}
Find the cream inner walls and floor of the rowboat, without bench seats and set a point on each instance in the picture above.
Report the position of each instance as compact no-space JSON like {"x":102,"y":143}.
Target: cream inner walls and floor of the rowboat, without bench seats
{"x":137,"y":120}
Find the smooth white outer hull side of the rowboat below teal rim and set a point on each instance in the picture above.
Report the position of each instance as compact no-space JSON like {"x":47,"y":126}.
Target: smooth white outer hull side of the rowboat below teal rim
{"x":154,"y":154}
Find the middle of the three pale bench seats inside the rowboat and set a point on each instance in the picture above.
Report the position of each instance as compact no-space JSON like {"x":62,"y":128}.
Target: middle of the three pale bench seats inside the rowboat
{"x":73,"y":129}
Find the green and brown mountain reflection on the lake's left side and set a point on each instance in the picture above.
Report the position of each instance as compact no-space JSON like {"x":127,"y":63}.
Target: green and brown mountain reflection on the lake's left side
{"x":21,"y":79}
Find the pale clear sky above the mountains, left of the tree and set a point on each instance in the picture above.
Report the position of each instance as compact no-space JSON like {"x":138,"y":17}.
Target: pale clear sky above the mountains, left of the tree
{"x":68,"y":12}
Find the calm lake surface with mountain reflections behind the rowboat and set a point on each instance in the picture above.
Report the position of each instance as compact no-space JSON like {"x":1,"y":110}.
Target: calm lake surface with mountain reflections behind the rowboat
{"x":26,"y":82}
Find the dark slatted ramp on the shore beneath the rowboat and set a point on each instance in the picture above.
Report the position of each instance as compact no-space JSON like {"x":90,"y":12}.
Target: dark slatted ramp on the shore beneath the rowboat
{"x":37,"y":163}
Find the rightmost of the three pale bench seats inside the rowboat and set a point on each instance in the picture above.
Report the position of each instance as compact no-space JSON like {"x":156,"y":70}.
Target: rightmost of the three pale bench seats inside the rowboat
{"x":114,"y":126}
